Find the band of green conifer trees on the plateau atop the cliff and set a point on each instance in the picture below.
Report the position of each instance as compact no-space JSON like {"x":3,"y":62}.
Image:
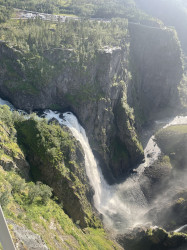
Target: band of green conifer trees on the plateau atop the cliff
{"x":36,"y":36}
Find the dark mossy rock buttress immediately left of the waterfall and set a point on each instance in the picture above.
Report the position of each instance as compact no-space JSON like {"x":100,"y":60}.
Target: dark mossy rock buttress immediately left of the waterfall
{"x":57,"y":159}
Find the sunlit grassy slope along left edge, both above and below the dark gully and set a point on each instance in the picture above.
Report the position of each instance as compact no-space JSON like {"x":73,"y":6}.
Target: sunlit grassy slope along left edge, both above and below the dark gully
{"x":48,"y":220}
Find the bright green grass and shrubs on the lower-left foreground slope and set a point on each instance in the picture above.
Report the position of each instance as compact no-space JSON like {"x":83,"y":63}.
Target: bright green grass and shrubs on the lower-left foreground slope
{"x":42,"y":218}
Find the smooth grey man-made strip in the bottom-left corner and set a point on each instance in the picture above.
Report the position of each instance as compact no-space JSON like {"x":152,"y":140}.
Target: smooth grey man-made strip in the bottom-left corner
{"x":5,"y":237}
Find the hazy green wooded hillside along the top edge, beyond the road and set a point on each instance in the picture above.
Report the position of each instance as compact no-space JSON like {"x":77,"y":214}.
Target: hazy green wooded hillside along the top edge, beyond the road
{"x":82,"y":8}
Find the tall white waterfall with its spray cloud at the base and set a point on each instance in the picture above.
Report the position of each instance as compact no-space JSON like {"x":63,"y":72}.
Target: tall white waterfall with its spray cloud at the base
{"x":118,"y":204}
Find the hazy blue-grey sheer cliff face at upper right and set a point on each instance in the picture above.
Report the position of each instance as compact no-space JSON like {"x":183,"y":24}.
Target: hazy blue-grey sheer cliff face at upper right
{"x":156,"y":67}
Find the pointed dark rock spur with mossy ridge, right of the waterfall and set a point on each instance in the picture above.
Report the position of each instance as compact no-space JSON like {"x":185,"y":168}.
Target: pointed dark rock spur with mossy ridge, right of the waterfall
{"x":127,"y":151}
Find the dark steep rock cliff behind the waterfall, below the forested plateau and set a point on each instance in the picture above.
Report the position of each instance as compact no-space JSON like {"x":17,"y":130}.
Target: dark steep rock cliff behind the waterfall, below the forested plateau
{"x":92,"y":93}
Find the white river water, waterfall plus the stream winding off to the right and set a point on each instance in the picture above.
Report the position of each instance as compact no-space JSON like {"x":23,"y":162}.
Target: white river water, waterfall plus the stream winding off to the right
{"x":122,"y":205}
